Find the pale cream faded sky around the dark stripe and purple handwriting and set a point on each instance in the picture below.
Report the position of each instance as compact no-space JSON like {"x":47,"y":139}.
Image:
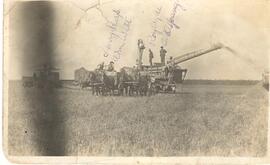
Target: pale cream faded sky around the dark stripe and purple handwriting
{"x":80,"y":36}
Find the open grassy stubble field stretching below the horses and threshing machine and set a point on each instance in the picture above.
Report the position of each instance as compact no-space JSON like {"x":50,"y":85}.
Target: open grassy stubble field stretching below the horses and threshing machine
{"x":199,"y":120}
